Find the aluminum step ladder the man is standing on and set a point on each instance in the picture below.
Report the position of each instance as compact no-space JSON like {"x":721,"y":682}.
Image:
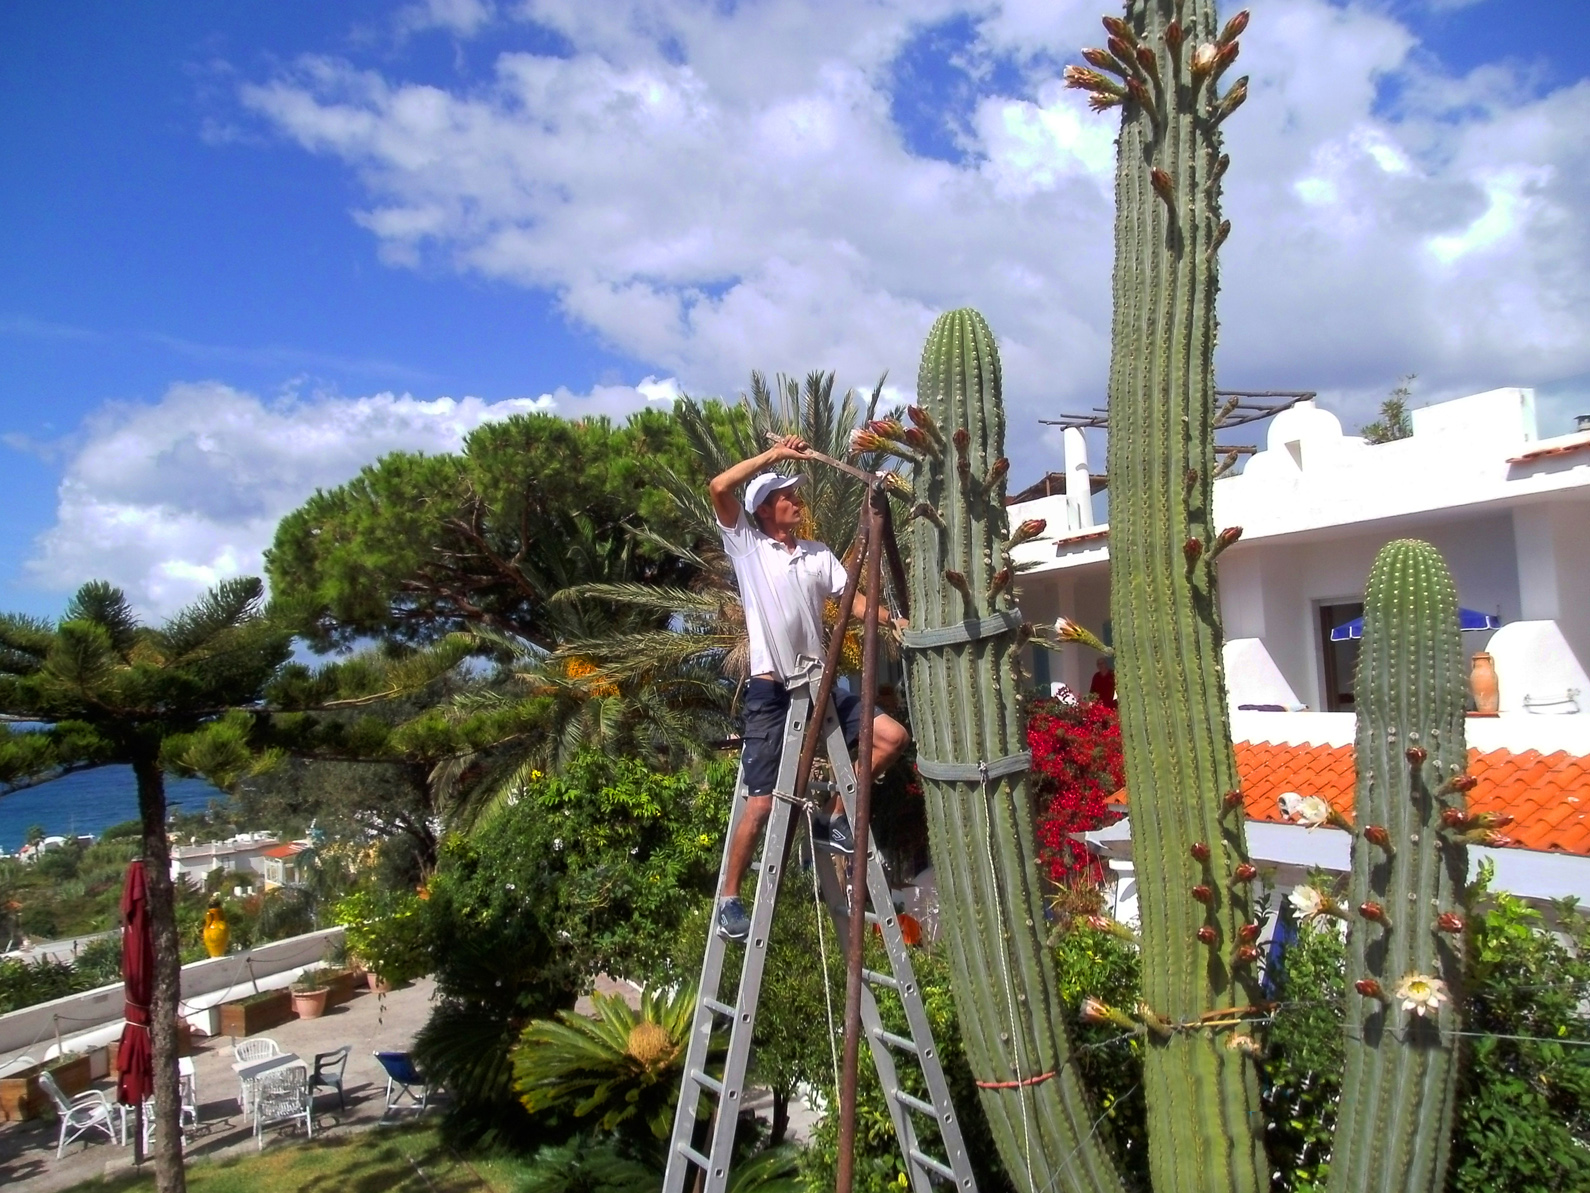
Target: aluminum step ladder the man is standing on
{"x":724,"y":1090}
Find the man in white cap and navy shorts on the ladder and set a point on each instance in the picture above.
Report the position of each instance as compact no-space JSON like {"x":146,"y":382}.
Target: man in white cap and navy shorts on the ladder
{"x":785,"y":583}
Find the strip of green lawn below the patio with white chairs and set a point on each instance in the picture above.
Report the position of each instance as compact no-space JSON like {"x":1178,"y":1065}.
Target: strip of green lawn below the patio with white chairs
{"x":381,"y":1160}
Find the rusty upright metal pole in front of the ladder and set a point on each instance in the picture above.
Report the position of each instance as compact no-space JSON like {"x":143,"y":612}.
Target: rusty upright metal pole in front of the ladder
{"x":861,"y":826}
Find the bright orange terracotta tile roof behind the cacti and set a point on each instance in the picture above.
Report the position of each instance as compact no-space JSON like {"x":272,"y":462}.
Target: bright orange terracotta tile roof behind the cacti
{"x":1549,"y":795}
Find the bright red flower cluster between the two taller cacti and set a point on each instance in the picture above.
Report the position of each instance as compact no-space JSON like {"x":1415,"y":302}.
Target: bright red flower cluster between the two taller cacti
{"x":1076,"y":769}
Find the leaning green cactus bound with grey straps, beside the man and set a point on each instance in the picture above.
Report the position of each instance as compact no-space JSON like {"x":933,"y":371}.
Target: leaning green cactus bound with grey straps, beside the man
{"x":966,"y":702}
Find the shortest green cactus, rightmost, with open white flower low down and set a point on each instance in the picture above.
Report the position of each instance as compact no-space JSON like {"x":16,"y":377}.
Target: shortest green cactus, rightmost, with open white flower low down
{"x":1410,"y":869}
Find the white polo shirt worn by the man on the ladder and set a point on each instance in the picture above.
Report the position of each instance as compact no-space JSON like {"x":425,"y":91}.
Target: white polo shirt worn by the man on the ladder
{"x":783,"y":593}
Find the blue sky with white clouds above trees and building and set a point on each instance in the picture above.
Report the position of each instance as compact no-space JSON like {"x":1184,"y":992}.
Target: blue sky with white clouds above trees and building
{"x":249,"y":247}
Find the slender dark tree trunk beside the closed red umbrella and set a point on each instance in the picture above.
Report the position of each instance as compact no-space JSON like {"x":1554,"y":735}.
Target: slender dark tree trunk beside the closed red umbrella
{"x":169,"y":1176}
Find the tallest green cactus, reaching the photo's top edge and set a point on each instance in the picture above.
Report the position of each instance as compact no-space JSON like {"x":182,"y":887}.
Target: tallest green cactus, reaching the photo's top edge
{"x":1163,"y":66}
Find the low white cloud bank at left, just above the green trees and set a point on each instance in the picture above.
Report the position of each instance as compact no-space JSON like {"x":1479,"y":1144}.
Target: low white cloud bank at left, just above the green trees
{"x":169,"y":499}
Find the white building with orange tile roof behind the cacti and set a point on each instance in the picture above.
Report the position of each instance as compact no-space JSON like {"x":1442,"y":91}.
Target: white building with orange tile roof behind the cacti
{"x":1510,"y":511}
